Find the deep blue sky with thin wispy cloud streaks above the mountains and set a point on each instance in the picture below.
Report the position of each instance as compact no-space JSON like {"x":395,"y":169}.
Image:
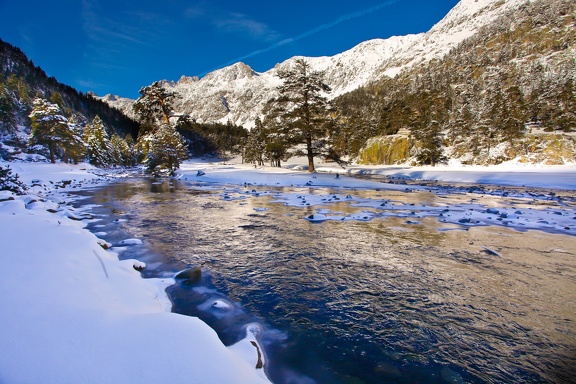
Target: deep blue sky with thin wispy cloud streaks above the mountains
{"x":118,"y":46}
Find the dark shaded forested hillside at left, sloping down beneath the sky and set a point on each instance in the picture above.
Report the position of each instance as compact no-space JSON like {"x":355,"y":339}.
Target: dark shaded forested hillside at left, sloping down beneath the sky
{"x":21,"y":81}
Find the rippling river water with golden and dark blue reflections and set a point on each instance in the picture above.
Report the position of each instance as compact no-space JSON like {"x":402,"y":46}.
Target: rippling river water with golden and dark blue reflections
{"x":362,"y":302}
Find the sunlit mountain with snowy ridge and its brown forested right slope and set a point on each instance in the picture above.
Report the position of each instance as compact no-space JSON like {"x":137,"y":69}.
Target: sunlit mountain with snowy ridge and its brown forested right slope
{"x":493,"y":81}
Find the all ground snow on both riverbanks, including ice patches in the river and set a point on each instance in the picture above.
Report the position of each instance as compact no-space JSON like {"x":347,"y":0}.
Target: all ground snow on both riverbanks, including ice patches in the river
{"x":73,"y":312}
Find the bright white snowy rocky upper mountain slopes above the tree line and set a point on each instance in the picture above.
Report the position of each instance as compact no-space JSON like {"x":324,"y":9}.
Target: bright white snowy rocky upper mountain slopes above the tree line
{"x":237,"y":93}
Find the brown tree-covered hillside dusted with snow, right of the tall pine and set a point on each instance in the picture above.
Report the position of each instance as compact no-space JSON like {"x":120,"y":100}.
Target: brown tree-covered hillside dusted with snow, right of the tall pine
{"x":506,"y":92}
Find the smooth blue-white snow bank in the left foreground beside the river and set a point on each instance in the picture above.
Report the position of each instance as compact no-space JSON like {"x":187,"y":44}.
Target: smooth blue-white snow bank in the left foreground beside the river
{"x":73,"y":313}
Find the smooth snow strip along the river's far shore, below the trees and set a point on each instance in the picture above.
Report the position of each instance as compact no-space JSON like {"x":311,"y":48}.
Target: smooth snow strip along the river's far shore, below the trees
{"x":511,"y":174}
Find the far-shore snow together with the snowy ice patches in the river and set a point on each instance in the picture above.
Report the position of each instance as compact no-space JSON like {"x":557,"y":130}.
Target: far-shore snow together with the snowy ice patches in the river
{"x":529,"y":201}
